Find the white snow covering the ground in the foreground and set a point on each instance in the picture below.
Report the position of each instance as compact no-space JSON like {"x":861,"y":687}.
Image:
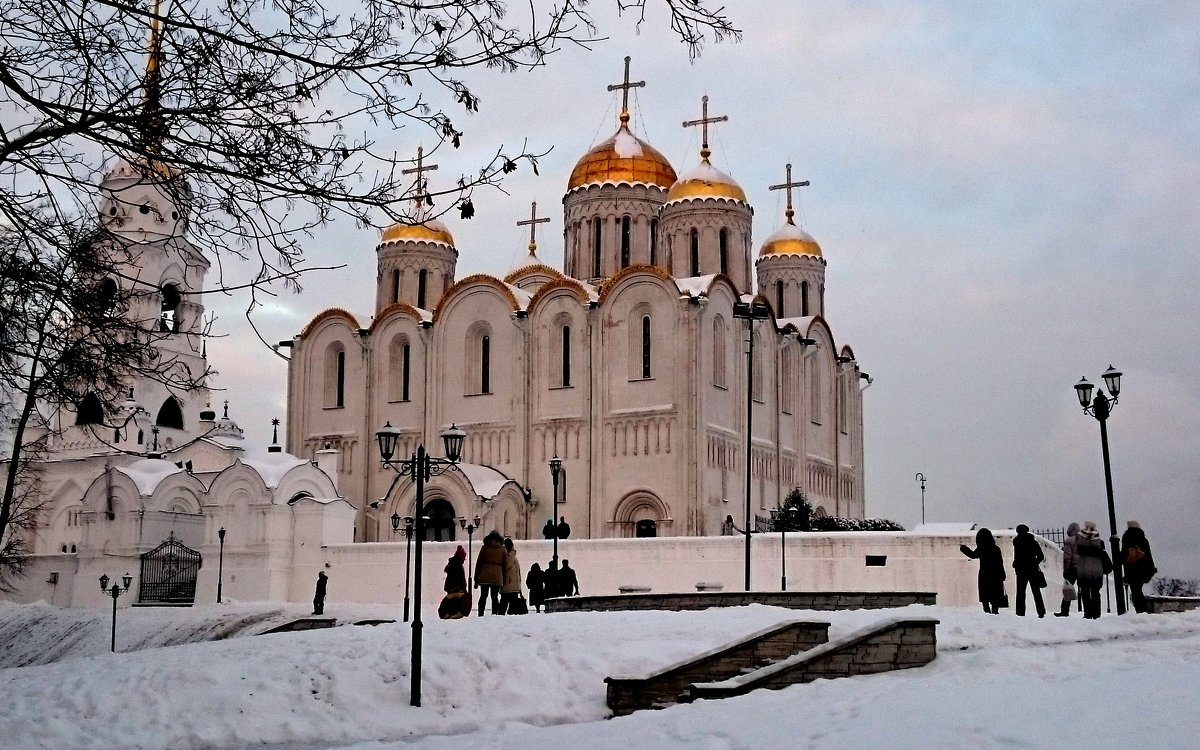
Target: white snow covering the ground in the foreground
{"x":200,"y":679}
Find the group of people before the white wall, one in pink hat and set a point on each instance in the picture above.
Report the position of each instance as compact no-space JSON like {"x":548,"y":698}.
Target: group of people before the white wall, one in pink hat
{"x":499,"y":580}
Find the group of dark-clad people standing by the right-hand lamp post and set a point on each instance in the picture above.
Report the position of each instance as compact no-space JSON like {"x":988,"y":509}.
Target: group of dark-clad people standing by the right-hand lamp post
{"x":1085,"y":563}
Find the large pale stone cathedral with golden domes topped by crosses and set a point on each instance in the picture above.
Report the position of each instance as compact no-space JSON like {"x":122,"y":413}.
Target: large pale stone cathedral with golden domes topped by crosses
{"x":631,"y":365}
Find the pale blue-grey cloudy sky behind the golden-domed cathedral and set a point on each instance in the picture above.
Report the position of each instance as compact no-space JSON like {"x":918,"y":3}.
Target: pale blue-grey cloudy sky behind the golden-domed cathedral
{"x":1007,"y":196}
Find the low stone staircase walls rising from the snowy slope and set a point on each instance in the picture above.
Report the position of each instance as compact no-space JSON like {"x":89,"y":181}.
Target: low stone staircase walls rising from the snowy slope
{"x":791,"y":653}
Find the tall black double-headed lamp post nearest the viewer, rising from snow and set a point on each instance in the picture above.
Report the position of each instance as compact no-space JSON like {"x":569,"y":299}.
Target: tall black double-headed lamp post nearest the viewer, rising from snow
{"x":421,"y":469}
